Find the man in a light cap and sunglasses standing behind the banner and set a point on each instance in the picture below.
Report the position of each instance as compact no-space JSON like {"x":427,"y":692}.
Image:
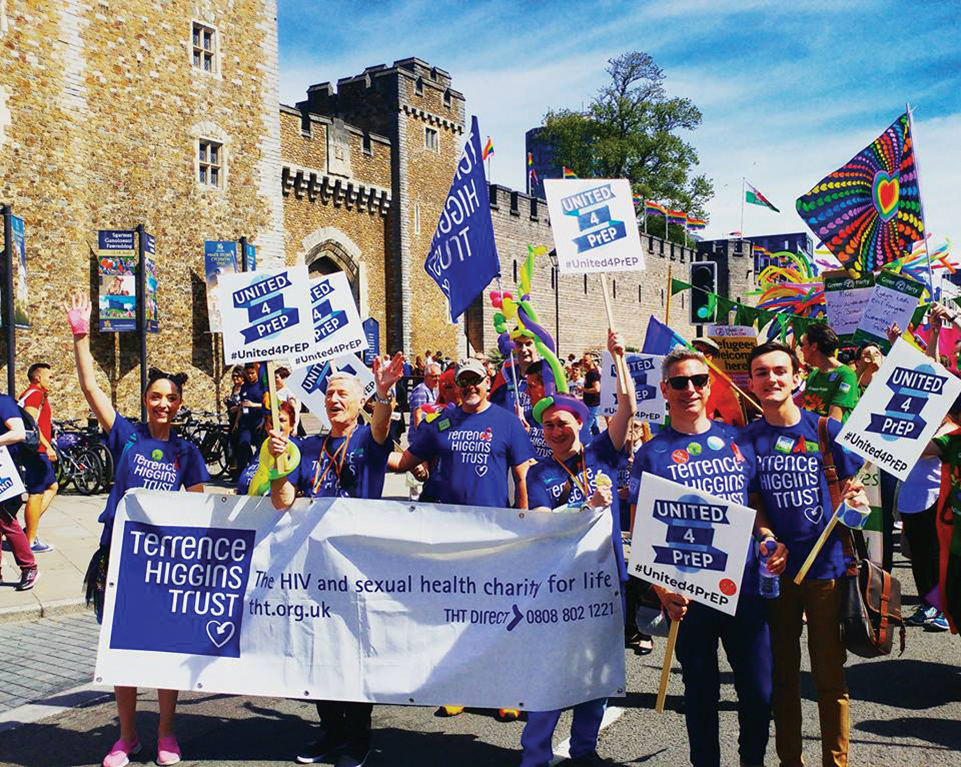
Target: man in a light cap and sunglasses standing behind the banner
{"x":478,"y":445}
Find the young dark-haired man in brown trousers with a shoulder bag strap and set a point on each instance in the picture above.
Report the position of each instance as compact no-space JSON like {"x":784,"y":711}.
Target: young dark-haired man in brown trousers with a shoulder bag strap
{"x":790,"y":446}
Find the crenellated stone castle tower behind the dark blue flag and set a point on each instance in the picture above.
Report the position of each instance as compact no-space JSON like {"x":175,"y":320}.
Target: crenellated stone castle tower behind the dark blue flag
{"x":414,"y":106}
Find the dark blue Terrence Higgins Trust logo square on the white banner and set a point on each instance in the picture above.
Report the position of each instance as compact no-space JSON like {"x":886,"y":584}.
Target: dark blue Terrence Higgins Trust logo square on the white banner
{"x":181,"y":589}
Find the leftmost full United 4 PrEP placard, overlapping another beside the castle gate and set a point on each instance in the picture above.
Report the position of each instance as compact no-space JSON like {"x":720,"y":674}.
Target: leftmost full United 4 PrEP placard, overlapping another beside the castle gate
{"x":265,"y":315}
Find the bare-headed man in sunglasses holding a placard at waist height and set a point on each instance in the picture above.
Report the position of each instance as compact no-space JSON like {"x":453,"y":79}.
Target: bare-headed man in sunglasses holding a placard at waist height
{"x":710,"y":456}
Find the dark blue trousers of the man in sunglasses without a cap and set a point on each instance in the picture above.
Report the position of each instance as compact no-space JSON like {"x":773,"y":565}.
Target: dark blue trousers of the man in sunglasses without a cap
{"x":747,"y":644}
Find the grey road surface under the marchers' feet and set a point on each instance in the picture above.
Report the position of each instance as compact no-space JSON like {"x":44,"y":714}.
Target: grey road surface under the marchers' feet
{"x":905,"y":711}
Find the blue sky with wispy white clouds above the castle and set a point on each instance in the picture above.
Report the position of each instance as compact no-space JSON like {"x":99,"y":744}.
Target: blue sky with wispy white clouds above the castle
{"x":788,"y":93}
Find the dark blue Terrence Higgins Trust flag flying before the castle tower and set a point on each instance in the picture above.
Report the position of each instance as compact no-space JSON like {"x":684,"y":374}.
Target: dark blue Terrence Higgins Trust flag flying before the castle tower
{"x":463,"y":257}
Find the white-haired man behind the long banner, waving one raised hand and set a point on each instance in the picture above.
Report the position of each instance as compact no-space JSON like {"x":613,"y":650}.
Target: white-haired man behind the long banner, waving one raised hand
{"x":350,"y":461}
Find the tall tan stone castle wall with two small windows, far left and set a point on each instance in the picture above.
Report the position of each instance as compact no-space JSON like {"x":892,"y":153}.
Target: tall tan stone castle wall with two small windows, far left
{"x":101,"y":111}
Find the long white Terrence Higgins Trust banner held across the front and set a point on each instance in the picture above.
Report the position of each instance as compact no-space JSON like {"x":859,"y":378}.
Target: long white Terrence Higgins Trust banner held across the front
{"x":379,"y":601}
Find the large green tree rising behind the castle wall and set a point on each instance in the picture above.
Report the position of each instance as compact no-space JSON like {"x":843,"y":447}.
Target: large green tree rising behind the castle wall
{"x":633,"y":130}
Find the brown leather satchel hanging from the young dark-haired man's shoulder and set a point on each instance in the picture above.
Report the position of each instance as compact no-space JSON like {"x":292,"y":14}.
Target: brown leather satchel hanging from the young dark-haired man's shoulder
{"x":870,"y":596}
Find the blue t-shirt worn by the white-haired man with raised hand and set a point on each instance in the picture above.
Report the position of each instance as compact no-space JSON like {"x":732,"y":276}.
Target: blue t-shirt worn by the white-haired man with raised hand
{"x":327,"y":469}
